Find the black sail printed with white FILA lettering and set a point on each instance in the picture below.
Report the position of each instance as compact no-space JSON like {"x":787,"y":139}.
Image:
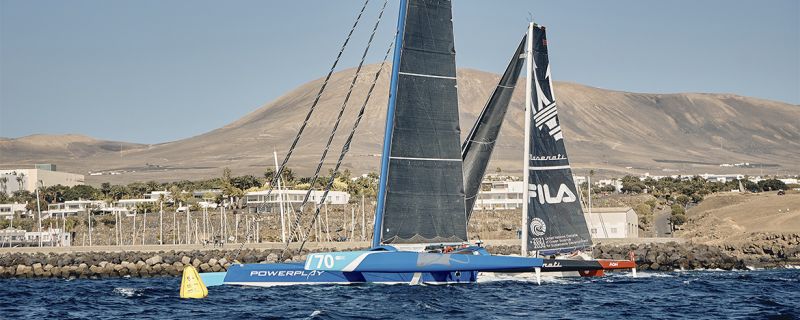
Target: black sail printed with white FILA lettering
{"x":554,"y":217}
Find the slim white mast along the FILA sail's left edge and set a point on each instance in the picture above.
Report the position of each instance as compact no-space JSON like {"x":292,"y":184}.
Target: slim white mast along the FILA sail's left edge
{"x":526,"y":157}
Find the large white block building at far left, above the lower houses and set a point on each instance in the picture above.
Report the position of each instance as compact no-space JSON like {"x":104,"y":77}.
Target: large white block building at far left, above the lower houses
{"x":43,"y":175}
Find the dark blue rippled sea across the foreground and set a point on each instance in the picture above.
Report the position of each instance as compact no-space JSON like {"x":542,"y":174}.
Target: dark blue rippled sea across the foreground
{"x":765,"y":294}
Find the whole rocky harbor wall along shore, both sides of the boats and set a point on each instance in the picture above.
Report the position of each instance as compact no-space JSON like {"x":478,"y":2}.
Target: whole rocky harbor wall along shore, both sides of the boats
{"x":765,"y":251}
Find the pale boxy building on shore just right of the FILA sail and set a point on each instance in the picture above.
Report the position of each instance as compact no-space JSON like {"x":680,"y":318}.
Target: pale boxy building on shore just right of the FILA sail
{"x":619,"y":222}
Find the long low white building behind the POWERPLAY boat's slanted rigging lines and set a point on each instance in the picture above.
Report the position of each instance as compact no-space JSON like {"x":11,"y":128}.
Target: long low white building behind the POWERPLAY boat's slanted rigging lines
{"x":257,"y":201}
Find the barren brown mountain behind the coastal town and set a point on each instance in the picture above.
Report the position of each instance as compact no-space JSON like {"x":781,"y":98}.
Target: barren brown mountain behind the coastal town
{"x":610,"y":131}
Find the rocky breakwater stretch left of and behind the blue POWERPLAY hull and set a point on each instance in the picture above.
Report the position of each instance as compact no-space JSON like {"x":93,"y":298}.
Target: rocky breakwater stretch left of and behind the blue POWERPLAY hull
{"x":95,"y":265}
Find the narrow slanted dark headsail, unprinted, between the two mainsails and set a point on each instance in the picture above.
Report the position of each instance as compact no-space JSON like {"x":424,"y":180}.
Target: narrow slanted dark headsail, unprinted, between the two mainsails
{"x":477,"y":149}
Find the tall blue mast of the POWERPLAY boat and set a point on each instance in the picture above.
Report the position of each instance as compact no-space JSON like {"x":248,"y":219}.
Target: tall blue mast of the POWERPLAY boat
{"x":387,"y":136}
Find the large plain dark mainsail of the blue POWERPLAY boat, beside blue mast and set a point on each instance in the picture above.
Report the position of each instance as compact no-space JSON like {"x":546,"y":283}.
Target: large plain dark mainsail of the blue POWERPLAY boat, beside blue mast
{"x":424,"y":195}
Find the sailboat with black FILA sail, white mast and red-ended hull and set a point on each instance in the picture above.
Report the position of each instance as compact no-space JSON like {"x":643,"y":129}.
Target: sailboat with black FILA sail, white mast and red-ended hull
{"x":553,"y":221}
